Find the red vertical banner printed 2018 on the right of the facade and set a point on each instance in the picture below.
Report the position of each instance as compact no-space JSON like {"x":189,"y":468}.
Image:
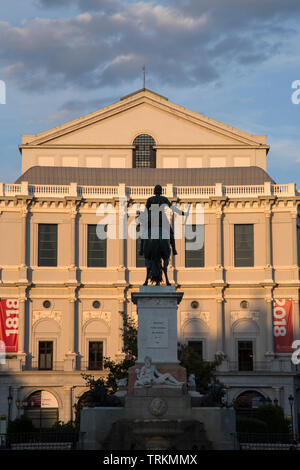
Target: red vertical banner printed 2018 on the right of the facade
{"x":283,"y":326}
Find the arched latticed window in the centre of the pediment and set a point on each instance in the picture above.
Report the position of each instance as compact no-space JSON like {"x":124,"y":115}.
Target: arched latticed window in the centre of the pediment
{"x":144,"y":155}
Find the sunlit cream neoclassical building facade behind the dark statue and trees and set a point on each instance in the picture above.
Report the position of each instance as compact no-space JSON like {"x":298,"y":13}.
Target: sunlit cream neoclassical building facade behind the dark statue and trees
{"x":70,"y":288}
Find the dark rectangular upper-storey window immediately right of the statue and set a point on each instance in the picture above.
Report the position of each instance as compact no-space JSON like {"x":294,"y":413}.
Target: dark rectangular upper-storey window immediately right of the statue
{"x":194,"y":247}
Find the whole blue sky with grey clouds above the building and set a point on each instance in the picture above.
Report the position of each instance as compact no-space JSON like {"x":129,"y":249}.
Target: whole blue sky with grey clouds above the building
{"x":231,"y":60}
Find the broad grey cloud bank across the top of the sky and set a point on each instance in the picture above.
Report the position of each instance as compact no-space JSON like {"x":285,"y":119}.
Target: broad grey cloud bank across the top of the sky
{"x":183,"y":43}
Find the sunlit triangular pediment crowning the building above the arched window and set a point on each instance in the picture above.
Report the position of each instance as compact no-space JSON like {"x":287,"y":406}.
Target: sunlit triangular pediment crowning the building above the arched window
{"x":143,"y":112}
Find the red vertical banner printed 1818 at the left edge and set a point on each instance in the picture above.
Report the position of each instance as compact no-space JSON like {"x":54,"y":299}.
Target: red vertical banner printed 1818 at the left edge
{"x":9,"y":324}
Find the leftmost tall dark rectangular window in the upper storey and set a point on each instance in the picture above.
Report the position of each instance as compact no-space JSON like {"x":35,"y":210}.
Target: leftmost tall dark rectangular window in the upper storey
{"x":47,"y":245}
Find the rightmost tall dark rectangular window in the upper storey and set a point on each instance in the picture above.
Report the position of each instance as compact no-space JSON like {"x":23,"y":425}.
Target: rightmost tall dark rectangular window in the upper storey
{"x":243,"y":245}
